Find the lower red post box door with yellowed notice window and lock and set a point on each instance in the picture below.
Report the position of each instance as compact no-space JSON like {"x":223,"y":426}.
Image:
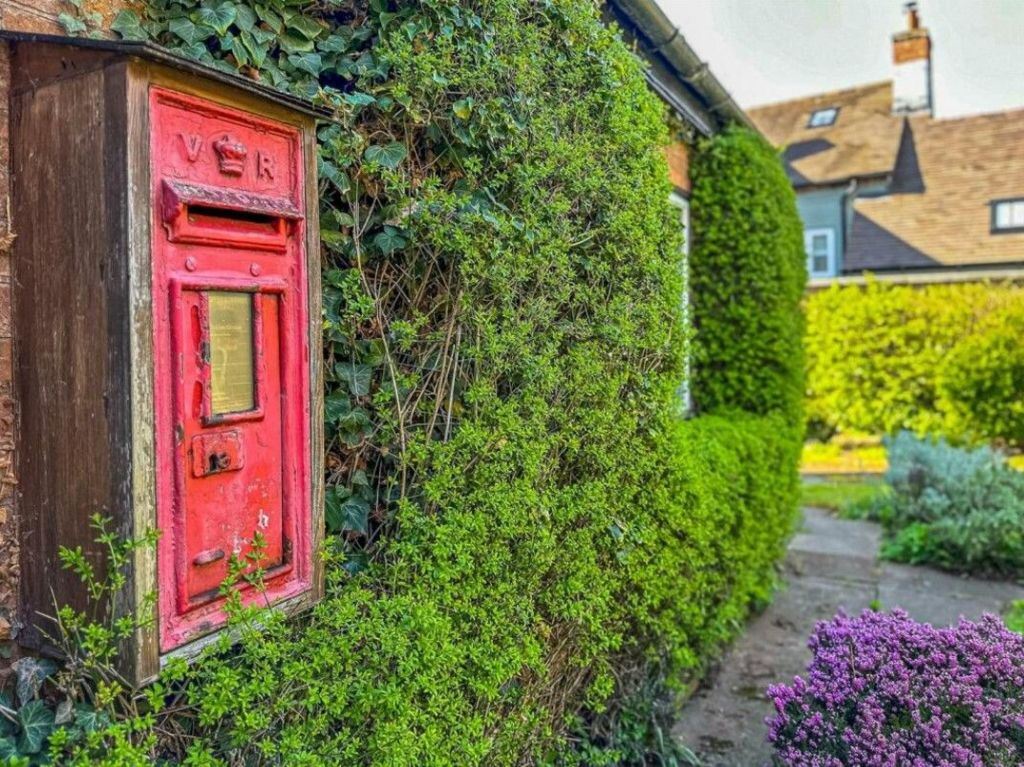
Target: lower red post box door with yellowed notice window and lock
{"x":232,"y":495}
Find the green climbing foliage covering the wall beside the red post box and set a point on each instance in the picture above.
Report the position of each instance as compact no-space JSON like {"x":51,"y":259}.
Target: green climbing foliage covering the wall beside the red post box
{"x":522,"y":528}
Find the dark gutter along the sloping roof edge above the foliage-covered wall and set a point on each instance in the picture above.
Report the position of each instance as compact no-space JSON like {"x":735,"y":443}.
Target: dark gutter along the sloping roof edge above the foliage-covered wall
{"x":666,"y":39}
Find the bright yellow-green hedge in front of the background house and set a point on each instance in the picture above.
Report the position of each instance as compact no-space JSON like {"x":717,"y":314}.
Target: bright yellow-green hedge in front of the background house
{"x":938,"y":360}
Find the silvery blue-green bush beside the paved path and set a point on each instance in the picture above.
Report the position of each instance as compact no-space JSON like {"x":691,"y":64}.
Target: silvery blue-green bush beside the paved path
{"x":953,"y":508}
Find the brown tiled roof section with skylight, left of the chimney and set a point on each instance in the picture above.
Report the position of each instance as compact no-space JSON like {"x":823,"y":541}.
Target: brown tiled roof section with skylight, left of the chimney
{"x":862,"y":143}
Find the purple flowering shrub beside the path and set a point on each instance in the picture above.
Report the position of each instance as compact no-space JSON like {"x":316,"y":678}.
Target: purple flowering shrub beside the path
{"x":886,"y":692}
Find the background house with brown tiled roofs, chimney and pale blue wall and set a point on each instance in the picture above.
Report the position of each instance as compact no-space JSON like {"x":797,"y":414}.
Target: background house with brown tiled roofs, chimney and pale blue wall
{"x":885,"y":188}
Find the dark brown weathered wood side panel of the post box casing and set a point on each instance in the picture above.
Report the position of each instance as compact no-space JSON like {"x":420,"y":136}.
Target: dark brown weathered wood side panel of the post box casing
{"x":69,"y":185}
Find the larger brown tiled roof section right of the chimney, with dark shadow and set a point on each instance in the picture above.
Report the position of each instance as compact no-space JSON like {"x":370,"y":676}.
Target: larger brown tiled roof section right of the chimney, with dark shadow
{"x":940,"y":211}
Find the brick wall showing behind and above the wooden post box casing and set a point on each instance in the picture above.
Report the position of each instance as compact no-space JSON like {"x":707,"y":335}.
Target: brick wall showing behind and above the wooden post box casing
{"x":23,"y":16}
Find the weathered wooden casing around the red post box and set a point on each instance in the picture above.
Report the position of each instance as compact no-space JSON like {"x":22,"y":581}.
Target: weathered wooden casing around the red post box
{"x":94,"y":217}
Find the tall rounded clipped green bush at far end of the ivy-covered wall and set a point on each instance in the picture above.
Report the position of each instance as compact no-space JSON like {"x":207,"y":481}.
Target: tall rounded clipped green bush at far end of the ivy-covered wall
{"x":748,"y":278}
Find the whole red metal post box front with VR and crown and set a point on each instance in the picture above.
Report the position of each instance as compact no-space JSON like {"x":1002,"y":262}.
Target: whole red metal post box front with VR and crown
{"x":232,"y":382}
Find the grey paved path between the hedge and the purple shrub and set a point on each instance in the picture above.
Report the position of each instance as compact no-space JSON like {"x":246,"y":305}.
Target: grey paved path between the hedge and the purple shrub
{"x":832,"y":565}
